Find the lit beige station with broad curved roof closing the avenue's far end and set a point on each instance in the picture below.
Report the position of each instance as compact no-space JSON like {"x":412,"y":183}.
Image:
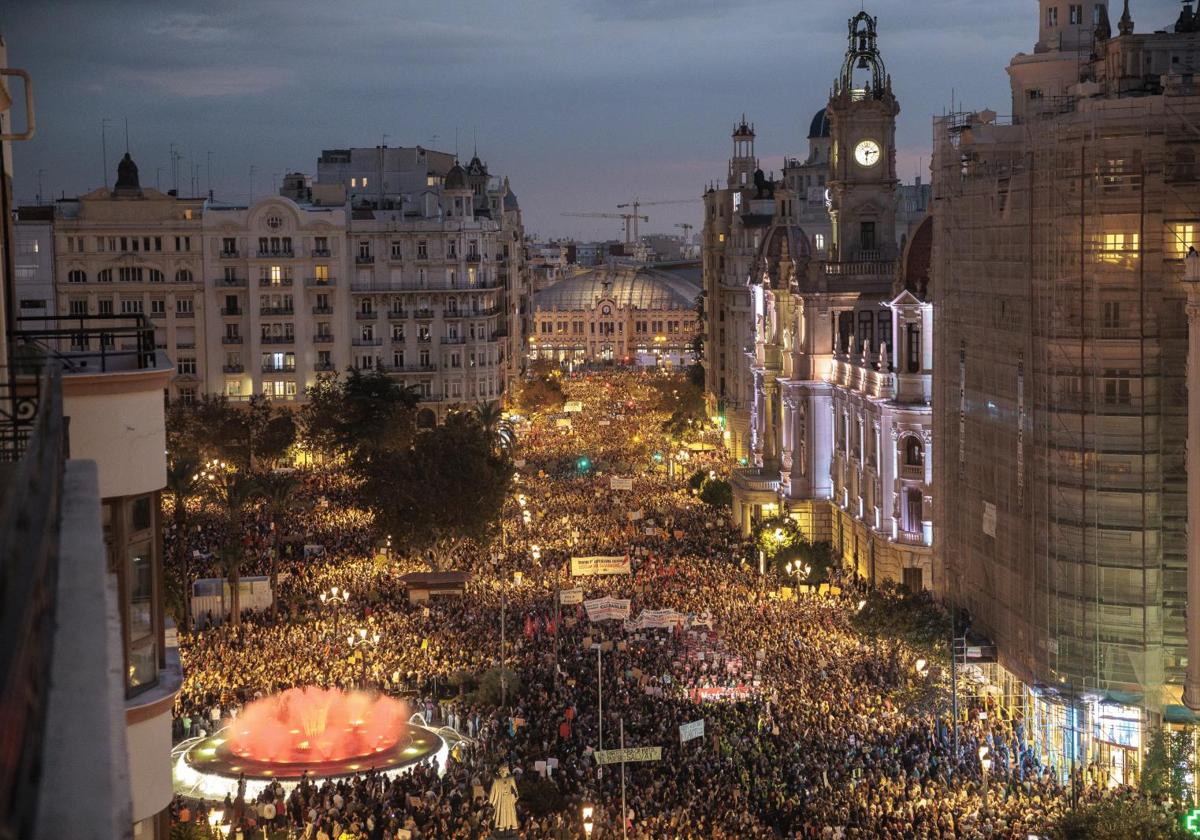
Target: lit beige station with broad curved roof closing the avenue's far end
{"x":626,"y":314}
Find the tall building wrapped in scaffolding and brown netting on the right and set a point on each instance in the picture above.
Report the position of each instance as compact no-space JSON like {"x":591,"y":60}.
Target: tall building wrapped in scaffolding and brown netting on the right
{"x":1063,"y":410}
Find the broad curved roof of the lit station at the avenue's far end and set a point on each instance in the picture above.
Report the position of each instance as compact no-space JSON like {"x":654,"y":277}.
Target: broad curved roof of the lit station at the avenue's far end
{"x":641,"y":287}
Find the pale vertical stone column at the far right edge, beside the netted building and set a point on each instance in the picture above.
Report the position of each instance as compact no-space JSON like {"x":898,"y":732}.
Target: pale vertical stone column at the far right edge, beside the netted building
{"x":1192,"y":278}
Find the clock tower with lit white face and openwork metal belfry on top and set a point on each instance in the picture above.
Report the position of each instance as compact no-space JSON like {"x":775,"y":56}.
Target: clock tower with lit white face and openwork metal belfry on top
{"x":863,"y":164}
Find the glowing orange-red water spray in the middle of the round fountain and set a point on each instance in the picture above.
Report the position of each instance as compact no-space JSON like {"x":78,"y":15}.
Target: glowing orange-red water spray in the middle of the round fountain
{"x":315,"y":724}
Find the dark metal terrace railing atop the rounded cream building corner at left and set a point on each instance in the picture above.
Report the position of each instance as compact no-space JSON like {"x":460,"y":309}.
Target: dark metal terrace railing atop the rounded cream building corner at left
{"x":87,"y":344}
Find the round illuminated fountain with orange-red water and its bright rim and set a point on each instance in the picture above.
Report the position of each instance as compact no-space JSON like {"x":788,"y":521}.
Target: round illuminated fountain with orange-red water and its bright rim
{"x":307,"y":733}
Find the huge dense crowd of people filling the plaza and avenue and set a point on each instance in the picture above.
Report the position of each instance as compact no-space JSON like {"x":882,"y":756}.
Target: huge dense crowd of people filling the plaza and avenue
{"x":811,"y":730}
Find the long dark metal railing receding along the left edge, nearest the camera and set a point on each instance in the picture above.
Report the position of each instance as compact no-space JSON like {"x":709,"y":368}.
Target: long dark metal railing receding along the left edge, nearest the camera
{"x":33,"y":443}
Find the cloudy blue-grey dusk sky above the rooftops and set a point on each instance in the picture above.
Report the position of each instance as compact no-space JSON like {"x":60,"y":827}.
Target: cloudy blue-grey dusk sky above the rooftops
{"x":584,"y":104}
